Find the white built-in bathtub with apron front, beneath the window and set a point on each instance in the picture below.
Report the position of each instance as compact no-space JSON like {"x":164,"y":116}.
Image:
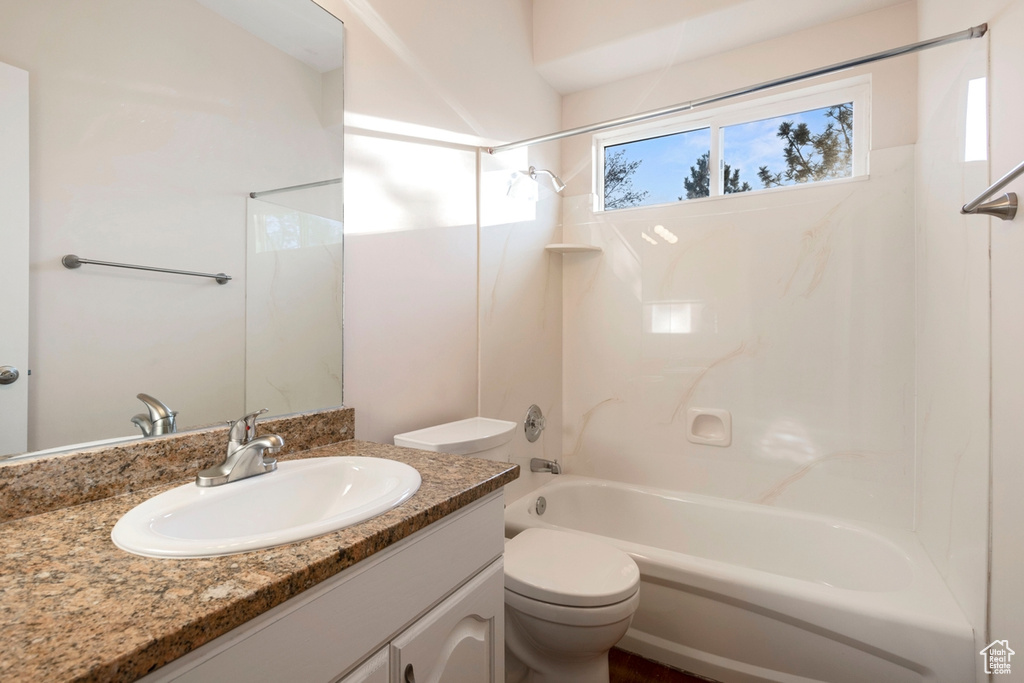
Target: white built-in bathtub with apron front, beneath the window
{"x":743,"y":593}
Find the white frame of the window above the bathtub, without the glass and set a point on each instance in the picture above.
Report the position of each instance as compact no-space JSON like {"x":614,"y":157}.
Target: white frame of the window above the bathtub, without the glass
{"x":857,"y":91}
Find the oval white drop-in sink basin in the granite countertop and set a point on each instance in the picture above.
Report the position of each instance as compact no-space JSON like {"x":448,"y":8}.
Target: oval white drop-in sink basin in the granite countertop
{"x":302,"y":500}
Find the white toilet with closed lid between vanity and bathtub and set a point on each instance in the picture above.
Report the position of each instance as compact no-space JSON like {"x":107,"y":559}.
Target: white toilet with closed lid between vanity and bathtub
{"x":569,"y":599}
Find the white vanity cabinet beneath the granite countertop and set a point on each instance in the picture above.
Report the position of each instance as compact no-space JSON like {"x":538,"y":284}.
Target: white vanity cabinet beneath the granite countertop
{"x":430,"y":608}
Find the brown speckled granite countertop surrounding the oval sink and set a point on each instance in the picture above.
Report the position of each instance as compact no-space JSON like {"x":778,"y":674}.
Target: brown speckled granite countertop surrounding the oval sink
{"x":74,"y":608}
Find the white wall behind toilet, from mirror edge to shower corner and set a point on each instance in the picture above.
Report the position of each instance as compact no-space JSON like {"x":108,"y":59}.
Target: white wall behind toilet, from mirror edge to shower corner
{"x":425,"y":84}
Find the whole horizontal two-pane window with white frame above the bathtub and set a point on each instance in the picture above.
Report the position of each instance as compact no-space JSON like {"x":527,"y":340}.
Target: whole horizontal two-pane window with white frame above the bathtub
{"x":810,"y":137}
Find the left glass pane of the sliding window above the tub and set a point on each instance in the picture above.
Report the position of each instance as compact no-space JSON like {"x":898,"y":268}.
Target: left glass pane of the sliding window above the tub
{"x":658,"y":170}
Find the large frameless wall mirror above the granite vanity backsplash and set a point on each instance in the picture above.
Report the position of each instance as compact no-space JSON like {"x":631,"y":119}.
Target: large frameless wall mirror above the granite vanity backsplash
{"x":150,"y":124}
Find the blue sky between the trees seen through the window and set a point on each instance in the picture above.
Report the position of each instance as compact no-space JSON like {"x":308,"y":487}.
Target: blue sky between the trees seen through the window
{"x":747,"y":147}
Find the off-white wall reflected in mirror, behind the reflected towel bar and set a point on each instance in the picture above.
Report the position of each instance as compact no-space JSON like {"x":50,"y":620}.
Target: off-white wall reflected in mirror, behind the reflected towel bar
{"x":149,"y":160}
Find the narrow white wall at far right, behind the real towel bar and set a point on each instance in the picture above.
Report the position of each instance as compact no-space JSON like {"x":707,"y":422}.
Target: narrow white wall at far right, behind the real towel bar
{"x":1006,"y":69}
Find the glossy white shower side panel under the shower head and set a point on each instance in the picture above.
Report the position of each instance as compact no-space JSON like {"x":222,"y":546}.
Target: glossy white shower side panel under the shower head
{"x":522,"y":308}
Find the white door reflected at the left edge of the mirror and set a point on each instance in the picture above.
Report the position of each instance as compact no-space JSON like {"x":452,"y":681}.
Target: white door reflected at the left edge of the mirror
{"x":15,"y":255}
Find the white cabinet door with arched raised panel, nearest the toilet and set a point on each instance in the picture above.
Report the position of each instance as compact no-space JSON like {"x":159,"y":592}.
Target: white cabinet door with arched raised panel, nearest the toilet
{"x":462,"y":641}
